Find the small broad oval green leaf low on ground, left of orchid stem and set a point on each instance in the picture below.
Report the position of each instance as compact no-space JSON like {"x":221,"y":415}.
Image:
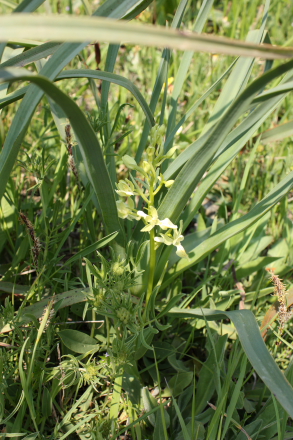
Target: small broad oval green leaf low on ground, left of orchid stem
{"x":78,"y":342}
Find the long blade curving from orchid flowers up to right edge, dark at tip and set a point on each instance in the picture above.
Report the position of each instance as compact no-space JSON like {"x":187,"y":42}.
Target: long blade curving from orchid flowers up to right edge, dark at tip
{"x":190,"y":175}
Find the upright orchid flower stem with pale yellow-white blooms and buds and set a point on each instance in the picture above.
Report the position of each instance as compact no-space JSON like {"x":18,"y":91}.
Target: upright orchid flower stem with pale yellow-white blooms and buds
{"x":149,"y":181}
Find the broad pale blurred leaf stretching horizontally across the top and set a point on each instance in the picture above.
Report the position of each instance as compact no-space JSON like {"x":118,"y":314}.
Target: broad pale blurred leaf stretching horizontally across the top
{"x":71,"y":28}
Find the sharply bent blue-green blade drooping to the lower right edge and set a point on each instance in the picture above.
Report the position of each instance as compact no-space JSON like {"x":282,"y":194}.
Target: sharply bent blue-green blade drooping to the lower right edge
{"x":254,"y":347}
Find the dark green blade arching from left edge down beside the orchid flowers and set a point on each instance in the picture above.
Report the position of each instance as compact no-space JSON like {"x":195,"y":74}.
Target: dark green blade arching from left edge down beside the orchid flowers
{"x":88,"y":142}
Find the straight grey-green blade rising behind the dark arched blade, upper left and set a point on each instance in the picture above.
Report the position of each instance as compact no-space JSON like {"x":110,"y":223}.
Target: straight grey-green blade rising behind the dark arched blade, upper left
{"x":64,"y":54}
